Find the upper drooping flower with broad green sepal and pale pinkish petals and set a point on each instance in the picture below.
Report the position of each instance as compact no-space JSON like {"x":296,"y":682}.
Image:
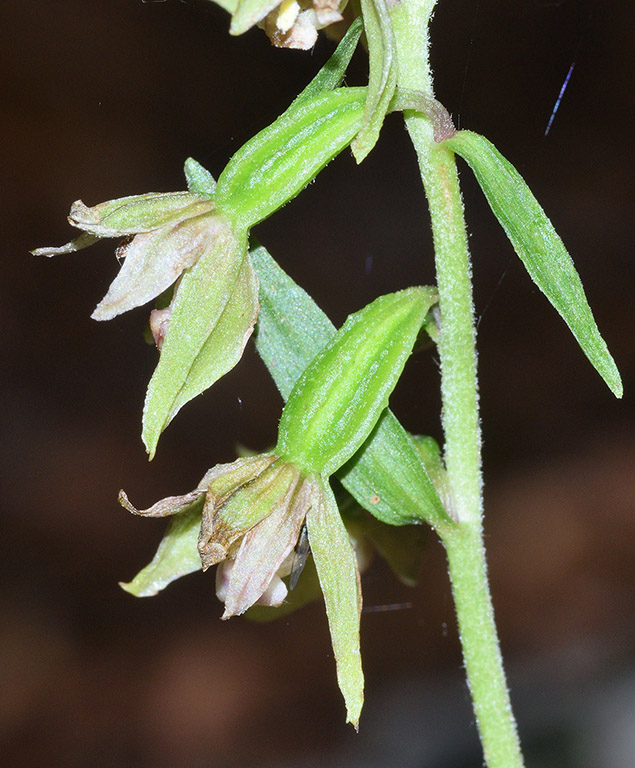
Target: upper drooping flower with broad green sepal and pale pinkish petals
{"x":176,"y":238}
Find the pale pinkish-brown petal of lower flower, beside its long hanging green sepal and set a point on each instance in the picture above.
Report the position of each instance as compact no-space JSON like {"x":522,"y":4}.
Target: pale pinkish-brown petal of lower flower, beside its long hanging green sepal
{"x":267,"y":546}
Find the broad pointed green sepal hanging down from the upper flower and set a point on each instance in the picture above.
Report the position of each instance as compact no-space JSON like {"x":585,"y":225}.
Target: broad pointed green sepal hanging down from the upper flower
{"x":212,"y":316}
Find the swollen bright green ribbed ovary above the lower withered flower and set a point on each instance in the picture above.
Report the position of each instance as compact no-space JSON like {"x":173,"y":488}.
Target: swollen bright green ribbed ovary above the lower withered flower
{"x":336,"y":402}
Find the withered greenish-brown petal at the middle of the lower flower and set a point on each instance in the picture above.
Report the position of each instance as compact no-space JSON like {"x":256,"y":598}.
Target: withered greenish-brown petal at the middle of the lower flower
{"x":227,"y":518}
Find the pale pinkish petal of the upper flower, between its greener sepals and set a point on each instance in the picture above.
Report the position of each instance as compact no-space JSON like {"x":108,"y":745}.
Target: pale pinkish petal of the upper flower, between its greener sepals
{"x":153,"y":261}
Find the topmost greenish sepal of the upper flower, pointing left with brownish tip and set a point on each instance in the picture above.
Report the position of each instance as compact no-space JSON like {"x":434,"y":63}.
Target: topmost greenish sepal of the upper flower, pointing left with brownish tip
{"x":139,"y":213}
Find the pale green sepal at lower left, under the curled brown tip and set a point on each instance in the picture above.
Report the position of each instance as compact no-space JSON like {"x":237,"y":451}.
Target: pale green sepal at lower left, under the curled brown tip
{"x":176,"y":556}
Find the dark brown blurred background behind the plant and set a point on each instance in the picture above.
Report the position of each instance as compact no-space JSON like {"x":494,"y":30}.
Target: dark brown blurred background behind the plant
{"x":107,"y":98}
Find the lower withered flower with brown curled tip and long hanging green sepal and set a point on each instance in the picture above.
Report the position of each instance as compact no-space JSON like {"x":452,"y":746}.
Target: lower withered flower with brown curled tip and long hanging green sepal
{"x":254,"y":511}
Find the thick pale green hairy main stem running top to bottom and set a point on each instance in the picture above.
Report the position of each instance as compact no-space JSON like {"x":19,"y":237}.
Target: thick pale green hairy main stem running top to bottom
{"x":459,"y":391}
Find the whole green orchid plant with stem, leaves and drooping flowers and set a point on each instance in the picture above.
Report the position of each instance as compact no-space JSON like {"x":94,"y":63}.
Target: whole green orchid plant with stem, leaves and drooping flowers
{"x":261,"y":519}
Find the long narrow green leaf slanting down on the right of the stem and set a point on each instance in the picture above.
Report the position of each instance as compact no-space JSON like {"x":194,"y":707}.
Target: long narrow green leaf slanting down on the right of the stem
{"x":538,"y":246}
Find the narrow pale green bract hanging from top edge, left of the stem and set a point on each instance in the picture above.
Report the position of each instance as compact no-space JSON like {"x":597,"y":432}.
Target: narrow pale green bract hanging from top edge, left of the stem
{"x":382,"y":79}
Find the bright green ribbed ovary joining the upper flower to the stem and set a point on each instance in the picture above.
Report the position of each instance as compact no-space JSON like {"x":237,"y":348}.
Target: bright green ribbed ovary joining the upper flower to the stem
{"x":279,"y":162}
